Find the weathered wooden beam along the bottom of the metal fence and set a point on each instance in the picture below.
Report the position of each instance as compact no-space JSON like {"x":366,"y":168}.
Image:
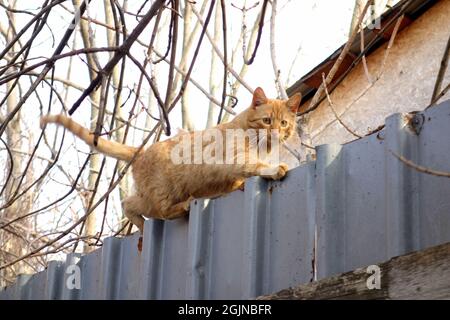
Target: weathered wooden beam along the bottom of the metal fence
{"x":419,"y":275}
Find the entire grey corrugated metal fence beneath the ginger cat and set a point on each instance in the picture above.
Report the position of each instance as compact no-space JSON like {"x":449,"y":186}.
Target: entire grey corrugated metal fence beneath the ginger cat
{"x":355,"y":206}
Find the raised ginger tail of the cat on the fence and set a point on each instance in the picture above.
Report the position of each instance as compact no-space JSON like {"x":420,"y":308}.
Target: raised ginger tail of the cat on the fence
{"x":110,"y":148}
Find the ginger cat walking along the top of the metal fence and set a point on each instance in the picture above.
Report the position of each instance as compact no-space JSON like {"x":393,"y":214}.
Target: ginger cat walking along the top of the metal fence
{"x":164,"y":189}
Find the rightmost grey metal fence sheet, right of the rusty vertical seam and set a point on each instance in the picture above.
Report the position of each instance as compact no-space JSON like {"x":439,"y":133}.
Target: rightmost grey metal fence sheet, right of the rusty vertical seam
{"x":371,"y":206}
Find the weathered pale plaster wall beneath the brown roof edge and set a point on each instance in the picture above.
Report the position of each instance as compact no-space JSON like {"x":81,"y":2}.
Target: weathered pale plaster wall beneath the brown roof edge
{"x":406,"y":84}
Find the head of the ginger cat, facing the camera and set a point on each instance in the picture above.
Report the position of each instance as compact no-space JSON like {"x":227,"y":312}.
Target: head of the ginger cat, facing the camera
{"x":274,"y":114}
